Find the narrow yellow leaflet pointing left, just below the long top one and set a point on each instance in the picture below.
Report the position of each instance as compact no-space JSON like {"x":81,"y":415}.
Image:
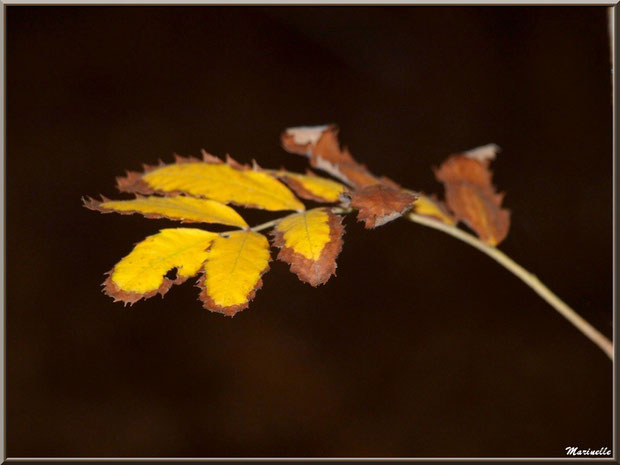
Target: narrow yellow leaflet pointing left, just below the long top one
{"x":187,"y":209}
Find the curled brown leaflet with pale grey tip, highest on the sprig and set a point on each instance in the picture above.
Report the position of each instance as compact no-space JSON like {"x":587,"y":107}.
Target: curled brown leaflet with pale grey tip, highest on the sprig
{"x":320,"y":144}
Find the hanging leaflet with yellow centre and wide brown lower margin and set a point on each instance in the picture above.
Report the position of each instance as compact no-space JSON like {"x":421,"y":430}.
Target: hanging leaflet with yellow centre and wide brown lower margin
{"x":310,"y":241}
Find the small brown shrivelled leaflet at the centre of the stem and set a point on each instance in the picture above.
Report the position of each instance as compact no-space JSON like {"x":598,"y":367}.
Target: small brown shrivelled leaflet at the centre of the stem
{"x":379,"y":204}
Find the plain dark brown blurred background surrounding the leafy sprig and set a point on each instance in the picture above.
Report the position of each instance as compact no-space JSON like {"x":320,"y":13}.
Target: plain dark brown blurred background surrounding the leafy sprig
{"x":421,"y":346}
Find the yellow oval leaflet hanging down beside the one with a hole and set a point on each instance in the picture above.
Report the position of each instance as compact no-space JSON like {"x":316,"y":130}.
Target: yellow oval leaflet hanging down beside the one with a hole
{"x":233,"y":271}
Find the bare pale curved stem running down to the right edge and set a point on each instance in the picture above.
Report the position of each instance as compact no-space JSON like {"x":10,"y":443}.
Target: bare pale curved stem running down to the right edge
{"x":528,"y":278}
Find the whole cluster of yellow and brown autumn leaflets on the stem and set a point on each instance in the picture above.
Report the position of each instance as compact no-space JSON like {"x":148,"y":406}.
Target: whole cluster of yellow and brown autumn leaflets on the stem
{"x":230,"y":264}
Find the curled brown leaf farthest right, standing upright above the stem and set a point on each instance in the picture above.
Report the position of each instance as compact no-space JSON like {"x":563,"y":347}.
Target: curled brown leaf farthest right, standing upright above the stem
{"x":471,"y":195}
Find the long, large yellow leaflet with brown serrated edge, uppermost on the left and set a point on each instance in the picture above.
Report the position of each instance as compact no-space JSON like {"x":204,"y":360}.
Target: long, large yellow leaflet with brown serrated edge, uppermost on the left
{"x":214,"y":180}
